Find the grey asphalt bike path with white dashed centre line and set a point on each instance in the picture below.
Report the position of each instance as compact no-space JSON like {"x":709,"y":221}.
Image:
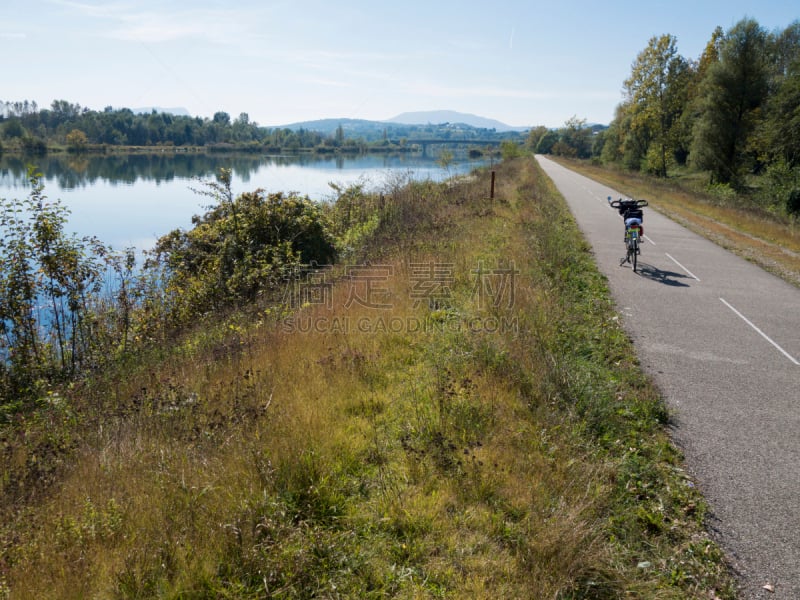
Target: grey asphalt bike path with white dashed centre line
{"x":721,"y":339}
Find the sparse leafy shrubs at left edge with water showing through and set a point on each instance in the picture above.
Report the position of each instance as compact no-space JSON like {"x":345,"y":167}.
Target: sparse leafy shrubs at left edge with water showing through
{"x":50,"y":293}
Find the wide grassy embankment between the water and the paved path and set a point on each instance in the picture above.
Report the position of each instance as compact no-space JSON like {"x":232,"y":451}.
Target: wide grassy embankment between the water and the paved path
{"x":494,"y":441}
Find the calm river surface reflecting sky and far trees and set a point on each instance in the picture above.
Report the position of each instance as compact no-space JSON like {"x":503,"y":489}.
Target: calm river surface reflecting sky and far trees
{"x":129,"y":201}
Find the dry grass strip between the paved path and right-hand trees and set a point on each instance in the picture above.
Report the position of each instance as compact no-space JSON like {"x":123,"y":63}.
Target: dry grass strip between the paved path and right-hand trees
{"x":767,"y":240}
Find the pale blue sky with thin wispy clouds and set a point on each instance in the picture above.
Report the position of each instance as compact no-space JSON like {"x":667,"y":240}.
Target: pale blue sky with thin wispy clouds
{"x":522,"y":62}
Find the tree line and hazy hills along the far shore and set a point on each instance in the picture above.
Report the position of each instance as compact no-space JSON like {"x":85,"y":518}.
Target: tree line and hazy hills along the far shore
{"x":24,"y":127}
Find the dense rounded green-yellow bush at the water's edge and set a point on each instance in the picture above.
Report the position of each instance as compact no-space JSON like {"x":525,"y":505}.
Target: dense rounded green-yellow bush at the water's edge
{"x":241,"y":248}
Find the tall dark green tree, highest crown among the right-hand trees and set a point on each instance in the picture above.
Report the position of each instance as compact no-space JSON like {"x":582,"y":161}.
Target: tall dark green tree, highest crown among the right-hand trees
{"x":731,"y":98}
